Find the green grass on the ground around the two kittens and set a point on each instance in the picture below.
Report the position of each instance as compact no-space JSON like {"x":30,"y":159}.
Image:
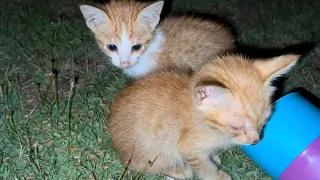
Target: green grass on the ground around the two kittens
{"x":56,"y":87}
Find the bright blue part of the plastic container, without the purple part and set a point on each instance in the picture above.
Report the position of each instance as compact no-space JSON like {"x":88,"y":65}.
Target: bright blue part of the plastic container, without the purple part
{"x":294,"y":125}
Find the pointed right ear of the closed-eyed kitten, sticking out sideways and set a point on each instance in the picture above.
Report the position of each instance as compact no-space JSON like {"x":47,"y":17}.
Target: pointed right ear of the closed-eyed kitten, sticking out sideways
{"x":275,"y":67}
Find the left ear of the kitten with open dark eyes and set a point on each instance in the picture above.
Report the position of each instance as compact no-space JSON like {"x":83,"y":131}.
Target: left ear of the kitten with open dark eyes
{"x":95,"y":18}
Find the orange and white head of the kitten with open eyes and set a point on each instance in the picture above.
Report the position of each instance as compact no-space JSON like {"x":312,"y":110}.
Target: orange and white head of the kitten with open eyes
{"x":123,"y":29}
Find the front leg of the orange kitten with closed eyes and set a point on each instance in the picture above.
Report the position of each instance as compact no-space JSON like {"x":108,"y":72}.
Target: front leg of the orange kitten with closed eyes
{"x":205,"y":169}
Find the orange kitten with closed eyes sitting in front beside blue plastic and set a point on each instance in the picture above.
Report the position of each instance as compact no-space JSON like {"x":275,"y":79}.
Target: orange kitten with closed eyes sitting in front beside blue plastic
{"x":169,"y":123}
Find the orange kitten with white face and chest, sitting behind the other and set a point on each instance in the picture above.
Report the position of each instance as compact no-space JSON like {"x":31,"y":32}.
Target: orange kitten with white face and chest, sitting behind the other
{"x":128,"y":32}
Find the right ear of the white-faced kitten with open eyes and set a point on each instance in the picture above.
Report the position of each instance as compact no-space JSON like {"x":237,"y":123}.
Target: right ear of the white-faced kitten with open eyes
{"x":150,"y":16}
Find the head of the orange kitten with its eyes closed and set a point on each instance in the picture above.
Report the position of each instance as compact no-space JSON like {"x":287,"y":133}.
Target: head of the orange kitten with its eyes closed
{"x":233,"y":94}
